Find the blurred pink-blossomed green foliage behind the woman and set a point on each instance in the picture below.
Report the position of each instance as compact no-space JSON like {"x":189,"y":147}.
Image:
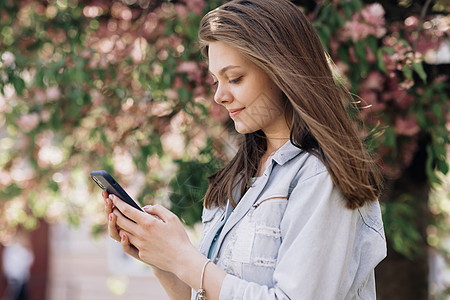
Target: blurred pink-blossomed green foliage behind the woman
{"x":121,"y":86}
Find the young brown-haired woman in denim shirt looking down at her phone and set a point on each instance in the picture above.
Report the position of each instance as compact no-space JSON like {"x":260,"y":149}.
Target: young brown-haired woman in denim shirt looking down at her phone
{"x":294,"y":215}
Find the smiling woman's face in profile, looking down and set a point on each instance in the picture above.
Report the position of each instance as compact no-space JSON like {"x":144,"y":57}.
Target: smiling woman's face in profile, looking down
{"x":253,"y":101}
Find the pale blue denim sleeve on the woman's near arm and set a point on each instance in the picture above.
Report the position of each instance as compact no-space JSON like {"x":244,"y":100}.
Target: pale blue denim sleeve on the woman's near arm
{"x":327,"y":251}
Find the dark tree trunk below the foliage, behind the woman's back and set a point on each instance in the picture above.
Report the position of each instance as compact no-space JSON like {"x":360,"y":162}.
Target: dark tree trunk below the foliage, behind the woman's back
{"x":400,"y":278}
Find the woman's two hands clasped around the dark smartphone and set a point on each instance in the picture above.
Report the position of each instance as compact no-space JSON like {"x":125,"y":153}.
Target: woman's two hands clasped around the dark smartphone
{"x":158,"y":236}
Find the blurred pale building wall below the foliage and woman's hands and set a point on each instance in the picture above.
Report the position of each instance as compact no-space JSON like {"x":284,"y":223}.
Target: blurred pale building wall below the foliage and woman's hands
{"x":86,"y":268}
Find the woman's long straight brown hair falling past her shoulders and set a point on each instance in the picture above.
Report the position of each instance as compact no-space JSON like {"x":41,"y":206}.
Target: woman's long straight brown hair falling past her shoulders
{"x":277,"y":37}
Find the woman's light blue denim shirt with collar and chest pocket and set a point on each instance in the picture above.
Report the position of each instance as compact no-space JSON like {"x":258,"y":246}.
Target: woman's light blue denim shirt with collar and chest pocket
{"x":291,"y":236}
